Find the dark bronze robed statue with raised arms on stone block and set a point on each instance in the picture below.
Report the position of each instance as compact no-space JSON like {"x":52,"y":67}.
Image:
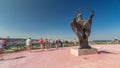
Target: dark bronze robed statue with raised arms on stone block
{"x":82,"y":29}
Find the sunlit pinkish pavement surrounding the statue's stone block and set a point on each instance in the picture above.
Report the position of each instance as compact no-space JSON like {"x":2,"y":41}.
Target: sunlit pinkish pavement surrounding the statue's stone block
{"x":108,"y":57}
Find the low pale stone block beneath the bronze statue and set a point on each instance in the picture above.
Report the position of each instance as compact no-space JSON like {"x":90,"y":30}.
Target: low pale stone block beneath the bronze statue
{"x":79,"y":52}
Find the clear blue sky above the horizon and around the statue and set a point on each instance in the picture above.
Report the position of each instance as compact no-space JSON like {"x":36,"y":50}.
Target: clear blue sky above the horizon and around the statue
{"x":52,"y":18}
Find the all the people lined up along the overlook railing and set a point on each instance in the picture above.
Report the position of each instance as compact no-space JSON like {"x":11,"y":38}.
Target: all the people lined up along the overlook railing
{"x":44,"y":44}
